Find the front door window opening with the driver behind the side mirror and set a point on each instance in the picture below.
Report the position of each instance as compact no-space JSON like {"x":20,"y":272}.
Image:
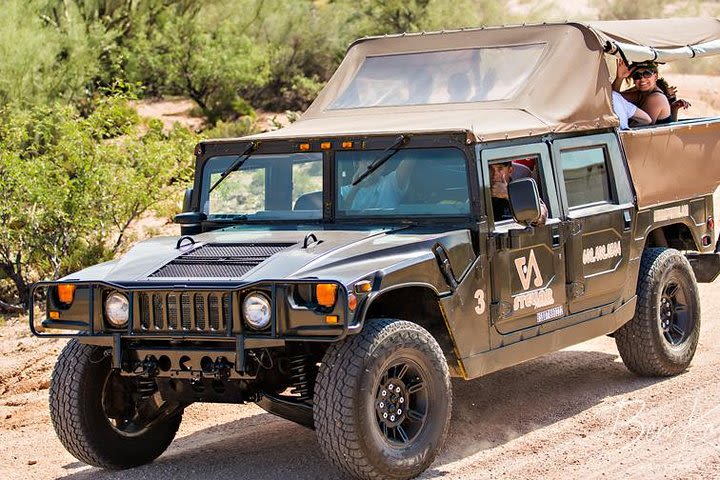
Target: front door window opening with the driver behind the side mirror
{"x":504,"y":170}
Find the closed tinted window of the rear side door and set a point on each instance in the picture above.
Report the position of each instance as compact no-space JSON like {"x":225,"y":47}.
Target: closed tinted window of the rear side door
{"x":587,"y":176}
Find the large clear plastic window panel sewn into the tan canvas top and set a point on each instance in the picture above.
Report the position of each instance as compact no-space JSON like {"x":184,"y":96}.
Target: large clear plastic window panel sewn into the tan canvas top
{"x":452,"y":76}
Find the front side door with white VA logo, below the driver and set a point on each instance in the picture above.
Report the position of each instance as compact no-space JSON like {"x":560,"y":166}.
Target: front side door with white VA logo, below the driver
{"x":527,"y":264}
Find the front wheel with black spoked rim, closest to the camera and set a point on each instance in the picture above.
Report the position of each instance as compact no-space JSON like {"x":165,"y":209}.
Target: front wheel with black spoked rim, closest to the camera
{"x":383,"y":401}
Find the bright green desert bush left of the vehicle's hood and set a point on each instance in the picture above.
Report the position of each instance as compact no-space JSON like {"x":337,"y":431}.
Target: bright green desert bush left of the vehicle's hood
{"x":70,"y":186}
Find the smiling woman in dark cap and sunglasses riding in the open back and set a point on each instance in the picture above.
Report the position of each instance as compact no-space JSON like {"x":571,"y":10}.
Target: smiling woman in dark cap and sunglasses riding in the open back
{"x":650,"y":93}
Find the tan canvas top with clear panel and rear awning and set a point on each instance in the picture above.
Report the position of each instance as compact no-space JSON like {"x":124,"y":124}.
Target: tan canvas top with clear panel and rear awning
{"x":520,"y":80}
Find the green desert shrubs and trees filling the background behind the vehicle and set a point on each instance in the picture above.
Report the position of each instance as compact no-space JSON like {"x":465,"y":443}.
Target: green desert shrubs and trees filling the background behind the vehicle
{"x":79,"y":166}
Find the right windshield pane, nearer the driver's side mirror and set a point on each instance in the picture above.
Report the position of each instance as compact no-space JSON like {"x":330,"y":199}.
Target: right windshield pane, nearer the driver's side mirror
{"x":432,"y":181}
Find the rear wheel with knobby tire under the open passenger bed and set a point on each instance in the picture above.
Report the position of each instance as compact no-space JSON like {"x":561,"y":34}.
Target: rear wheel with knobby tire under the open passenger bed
{"x":661,"y":338}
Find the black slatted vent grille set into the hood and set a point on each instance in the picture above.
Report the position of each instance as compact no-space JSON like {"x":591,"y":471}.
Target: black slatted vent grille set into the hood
{"x":220,"y":260}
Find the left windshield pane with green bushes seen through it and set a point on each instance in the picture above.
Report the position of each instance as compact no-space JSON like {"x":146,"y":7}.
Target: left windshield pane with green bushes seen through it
{"x":267,"y":187}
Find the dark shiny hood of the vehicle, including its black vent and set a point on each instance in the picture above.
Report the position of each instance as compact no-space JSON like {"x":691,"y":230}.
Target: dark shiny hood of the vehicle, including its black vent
{"x":236,"y":256}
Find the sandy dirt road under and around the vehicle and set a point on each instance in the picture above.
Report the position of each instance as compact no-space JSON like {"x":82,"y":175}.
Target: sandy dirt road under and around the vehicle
{"x":577,"y":413}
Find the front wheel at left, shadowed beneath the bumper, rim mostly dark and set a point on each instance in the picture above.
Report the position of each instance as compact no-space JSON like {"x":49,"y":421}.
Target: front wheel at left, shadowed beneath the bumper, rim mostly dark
{"x":100,"y":417}
